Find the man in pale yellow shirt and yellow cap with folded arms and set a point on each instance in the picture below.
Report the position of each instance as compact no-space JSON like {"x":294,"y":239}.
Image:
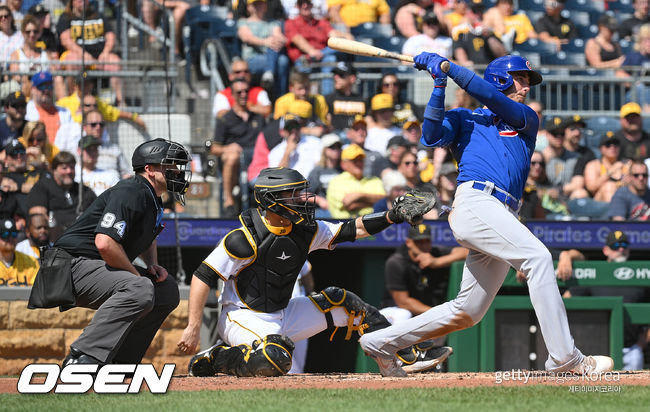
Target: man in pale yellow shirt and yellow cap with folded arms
{"x":351,"y":194}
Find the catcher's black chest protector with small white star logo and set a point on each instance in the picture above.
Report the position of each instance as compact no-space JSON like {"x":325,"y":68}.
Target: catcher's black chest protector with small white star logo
{"x":266,"y":285}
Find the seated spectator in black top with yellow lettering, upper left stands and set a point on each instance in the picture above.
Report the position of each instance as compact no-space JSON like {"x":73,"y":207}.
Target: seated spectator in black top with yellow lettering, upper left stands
{"x":97,"y":41}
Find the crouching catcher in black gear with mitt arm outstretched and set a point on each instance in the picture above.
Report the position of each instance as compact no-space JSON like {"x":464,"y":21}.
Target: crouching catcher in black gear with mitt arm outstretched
{"x":259,"y":264}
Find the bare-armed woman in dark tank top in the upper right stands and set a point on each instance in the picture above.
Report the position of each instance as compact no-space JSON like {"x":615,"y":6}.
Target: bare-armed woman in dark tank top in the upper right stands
{"x":601,"y":51}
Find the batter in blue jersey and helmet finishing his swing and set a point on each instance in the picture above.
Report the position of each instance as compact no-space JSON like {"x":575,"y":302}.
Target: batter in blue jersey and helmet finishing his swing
{"x":493,"y":146}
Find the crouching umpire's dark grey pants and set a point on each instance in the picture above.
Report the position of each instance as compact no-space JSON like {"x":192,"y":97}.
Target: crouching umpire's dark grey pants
{"x":130,"y":310}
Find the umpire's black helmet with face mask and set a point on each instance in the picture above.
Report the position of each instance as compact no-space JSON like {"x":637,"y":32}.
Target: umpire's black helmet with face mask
{"x":164,"y":152}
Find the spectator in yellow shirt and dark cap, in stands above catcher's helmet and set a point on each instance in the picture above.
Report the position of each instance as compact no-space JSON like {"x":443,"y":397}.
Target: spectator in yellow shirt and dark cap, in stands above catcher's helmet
{"x":299,"y":90}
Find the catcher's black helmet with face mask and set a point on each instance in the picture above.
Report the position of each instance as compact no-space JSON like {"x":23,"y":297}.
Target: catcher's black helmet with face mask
{"x":283,"y":191}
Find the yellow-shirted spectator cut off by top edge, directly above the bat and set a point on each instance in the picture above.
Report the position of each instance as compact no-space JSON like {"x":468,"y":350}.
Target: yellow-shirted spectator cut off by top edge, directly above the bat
{"x":355,"y":12}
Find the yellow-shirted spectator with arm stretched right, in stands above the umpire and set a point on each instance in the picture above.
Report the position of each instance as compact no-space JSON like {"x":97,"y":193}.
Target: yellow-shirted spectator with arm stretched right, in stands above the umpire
{"x":110,"y":113}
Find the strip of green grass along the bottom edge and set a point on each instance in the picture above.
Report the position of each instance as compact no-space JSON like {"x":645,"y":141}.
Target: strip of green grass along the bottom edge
{"x":519,"y":399}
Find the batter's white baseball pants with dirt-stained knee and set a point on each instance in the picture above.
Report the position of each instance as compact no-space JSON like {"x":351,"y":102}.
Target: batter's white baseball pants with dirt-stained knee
{"x":497,"y":240}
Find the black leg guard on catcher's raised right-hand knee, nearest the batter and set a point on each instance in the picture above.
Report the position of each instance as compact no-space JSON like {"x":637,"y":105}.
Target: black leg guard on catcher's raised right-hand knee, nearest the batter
{"x":333,"y":296}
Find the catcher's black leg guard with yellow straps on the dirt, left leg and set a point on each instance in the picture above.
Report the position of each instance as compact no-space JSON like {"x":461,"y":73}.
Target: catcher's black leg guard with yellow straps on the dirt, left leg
{"x":270,"y":356}
